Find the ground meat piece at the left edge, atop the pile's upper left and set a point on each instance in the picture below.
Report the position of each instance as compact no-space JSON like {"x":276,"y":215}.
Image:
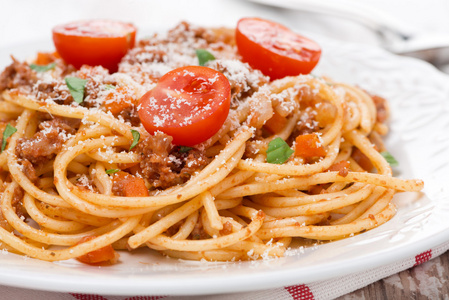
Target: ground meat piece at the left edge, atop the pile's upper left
{"x":17,"y":74}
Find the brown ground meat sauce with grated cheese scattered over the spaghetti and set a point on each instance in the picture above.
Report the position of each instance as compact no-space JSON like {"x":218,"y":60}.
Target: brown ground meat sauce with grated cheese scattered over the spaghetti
{"x":161,"y":164}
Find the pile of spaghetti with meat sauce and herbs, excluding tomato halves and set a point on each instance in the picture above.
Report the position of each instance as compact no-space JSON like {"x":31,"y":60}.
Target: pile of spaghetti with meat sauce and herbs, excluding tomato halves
{"x":82,"y":177}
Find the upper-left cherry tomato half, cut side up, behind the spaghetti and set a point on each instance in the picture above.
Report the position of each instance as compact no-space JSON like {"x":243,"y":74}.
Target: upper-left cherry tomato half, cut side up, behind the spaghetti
{"x":93,"y":43}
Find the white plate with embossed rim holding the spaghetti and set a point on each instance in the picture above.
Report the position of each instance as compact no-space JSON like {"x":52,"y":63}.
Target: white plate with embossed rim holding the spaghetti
{"x":418,"y":95}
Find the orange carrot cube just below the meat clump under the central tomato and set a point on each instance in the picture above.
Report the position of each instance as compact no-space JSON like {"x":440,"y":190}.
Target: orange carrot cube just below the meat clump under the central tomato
{"x":129,"y":185}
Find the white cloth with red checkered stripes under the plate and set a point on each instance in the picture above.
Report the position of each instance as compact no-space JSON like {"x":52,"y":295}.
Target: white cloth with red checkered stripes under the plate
{"x":328,"y":289}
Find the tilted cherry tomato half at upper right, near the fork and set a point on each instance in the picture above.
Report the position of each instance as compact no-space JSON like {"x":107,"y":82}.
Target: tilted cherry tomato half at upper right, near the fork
{"x":274,"y":49}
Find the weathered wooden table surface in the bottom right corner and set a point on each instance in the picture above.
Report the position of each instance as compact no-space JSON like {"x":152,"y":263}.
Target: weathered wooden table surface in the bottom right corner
{"x":429,"y":280}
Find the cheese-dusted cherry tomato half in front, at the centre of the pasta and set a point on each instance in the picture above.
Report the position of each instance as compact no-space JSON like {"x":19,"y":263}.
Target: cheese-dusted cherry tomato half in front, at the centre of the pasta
{"x":188,"y":103}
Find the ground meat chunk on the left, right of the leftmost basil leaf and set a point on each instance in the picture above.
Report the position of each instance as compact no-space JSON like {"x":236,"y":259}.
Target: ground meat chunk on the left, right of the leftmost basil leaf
{"x":46,"y":142}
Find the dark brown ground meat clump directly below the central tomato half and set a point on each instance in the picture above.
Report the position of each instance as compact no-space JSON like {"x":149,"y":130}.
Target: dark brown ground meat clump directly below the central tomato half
{"x":164,"y":165}
